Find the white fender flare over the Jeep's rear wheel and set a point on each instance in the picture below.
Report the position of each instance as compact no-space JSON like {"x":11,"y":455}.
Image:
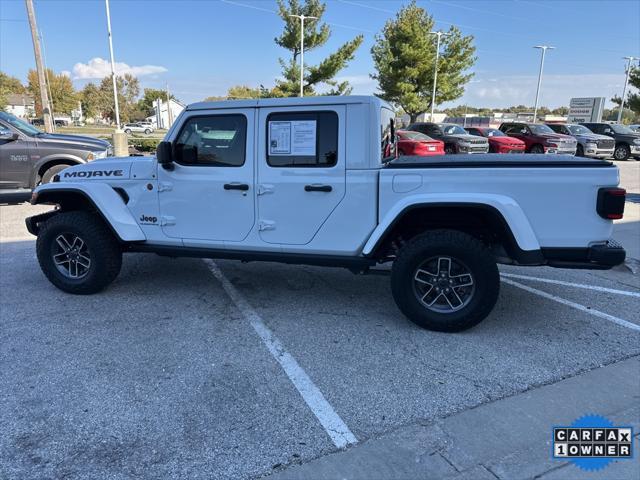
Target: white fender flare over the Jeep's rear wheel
{"x":512,"y":215}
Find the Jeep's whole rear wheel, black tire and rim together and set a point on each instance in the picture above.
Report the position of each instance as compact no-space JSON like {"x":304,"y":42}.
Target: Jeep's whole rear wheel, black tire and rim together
{"x":445,"y":280}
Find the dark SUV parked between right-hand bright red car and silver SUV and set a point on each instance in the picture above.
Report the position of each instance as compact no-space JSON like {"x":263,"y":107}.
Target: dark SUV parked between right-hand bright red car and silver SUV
{"x":539,"y":138}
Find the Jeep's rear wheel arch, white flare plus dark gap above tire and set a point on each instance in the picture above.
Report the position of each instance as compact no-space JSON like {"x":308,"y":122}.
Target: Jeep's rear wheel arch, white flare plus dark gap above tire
{"x":494,"y":223}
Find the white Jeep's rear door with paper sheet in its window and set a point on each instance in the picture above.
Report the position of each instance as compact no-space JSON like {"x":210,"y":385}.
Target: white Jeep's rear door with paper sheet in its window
{"x":301,"y":171}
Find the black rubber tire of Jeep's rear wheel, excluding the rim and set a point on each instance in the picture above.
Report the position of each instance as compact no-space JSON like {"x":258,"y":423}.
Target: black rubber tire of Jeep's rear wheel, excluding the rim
{"x":458,"y":245}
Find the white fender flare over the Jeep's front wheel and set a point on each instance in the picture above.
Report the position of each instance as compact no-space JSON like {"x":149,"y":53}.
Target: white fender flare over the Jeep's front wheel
{"x":107,"y":202}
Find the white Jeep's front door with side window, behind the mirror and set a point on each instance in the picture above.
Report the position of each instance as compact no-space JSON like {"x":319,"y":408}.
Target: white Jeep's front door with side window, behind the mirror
{"x":209,"y":194}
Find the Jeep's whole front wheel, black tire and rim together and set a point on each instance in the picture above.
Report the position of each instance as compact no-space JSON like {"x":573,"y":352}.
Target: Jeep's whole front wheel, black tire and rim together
{"x":78,"y":253}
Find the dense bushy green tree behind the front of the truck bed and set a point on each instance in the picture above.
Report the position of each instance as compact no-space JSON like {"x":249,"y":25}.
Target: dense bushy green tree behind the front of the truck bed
{"x":404,"y":55}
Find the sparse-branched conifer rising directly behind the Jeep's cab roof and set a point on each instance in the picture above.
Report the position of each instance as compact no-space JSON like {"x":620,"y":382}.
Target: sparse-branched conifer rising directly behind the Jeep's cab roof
{"x":316,"y":34}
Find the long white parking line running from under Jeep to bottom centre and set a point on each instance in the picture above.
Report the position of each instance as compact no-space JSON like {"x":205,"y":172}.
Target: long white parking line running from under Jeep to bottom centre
{"x":324,"y":412}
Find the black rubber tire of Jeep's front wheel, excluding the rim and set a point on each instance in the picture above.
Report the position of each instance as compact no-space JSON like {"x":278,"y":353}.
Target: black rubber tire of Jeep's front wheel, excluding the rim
{"x":105,"y":251}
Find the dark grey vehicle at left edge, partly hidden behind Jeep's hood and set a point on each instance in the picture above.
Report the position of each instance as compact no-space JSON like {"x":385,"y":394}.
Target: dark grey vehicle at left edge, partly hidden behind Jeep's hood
{"x":29,"y":157}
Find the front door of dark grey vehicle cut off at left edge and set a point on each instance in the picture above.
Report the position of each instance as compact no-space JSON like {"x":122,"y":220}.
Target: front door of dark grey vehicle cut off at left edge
{"x":15,"y":163}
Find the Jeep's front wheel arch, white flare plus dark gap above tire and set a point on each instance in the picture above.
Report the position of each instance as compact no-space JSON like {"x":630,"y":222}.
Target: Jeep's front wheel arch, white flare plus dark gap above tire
{"x":101,"y":199}
